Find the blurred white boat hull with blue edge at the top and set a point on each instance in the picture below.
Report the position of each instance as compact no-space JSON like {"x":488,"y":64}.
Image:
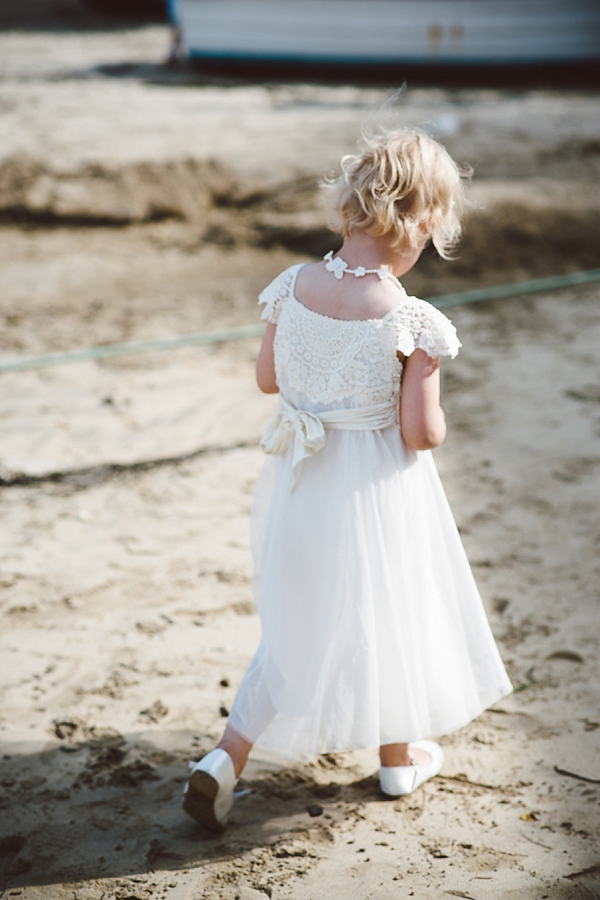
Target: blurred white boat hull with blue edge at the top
{"x":384,"y":32}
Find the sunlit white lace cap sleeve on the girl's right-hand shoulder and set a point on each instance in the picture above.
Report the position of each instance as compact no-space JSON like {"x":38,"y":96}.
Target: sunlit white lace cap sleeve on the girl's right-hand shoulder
{"x":420,"y":326}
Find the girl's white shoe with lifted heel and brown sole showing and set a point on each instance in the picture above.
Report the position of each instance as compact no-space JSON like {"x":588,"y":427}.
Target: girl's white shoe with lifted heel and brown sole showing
{"x":208,"y":795}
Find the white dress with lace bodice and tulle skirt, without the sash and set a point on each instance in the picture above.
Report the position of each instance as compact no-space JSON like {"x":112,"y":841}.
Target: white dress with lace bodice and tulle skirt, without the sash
{"x":373,"y":630}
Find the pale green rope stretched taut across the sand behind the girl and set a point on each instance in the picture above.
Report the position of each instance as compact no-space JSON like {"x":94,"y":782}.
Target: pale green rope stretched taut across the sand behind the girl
{"x":443,"y":301}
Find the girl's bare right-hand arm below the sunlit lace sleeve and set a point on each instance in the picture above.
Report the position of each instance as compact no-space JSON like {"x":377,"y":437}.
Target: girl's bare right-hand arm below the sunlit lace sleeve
{"x":422,"y":420}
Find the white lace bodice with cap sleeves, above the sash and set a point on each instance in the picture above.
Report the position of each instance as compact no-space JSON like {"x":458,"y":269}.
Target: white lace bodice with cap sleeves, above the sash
{"x":349,"y":362}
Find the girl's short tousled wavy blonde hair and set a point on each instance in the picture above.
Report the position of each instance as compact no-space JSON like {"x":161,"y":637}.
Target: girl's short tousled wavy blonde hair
{"x":404,"y":184}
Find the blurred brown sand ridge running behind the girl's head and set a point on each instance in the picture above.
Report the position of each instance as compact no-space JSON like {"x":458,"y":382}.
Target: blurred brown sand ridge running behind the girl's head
{"x":514,"y":231}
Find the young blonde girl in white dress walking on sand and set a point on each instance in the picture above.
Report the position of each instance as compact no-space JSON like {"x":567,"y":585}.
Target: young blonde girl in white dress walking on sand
{"x":373,"y":631}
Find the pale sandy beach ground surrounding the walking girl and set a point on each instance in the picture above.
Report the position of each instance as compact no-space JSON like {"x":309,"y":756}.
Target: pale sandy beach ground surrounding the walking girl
{"x":134,"y":204}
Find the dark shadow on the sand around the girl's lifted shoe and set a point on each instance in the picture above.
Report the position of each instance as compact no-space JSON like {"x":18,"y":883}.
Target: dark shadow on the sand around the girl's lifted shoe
{"x":95,"y":804}
